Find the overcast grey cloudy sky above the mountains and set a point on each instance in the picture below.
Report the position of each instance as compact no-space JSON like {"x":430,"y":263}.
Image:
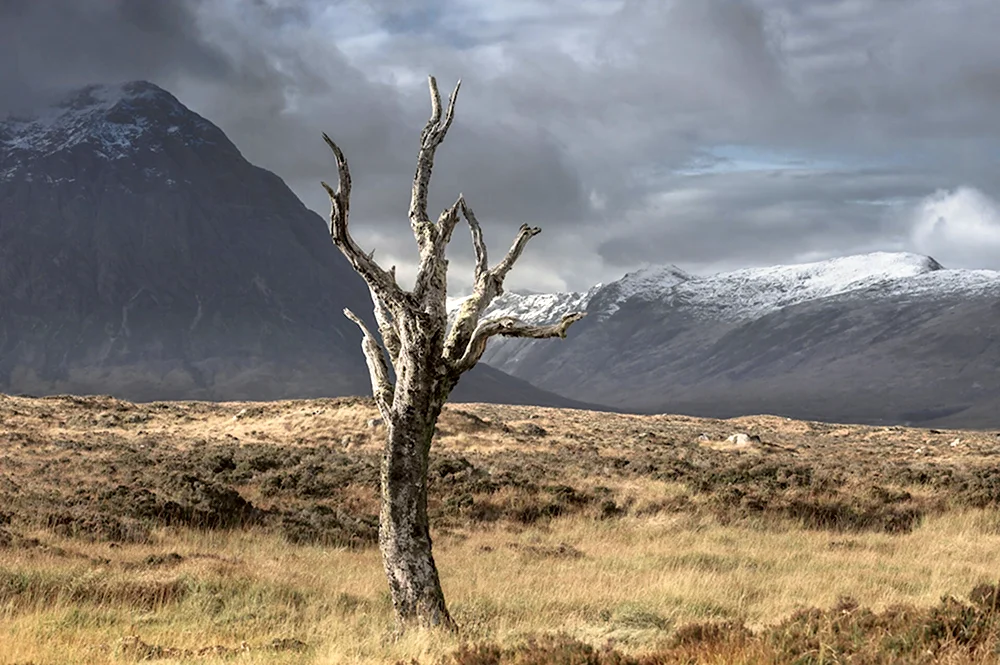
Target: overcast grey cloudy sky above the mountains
{"x":711,"y":134}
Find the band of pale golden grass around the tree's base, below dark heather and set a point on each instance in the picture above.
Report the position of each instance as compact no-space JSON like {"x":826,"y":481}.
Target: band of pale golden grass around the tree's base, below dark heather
{"x":631,"y":580}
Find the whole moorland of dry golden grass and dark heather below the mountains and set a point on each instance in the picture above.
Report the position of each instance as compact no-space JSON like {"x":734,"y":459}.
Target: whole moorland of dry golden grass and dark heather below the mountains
{"x":245,"y":533}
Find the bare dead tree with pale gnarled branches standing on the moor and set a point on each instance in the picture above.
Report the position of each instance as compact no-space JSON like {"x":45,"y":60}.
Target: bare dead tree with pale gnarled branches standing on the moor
{"x":427,"y":360}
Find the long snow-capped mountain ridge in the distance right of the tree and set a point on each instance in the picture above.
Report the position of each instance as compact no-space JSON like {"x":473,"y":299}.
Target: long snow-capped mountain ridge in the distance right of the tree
{"x":878,"y":338}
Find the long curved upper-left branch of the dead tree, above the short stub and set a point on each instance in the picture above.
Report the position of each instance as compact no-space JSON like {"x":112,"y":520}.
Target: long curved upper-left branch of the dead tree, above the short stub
{"x":379,"y":280}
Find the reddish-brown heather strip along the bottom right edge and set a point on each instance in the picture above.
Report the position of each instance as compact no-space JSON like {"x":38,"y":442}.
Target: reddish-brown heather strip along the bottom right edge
{"x":951,"y":631}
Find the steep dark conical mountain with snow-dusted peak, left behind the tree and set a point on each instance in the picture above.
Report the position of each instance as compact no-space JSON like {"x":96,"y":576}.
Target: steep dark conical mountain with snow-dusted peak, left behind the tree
{"x":142,"y":255}
